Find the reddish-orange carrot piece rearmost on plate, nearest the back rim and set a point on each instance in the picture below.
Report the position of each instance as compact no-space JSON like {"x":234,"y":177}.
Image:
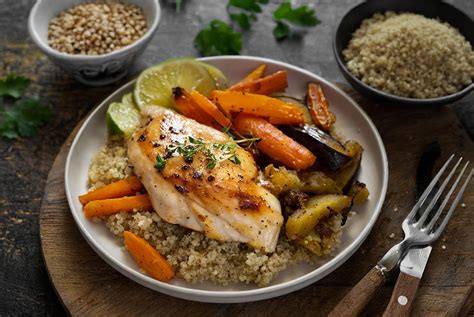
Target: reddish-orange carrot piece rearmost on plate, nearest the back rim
{"x":266,"y":85}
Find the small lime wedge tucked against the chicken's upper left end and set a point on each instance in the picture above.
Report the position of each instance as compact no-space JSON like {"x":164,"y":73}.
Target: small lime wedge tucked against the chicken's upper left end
{"x":122,"y":118}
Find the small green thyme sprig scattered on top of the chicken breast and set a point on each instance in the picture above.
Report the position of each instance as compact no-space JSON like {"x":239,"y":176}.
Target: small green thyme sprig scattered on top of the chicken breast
{"x":214,"y":153}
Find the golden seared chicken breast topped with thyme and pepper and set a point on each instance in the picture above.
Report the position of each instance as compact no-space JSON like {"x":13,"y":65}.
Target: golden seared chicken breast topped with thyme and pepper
{"x":223,"y":201}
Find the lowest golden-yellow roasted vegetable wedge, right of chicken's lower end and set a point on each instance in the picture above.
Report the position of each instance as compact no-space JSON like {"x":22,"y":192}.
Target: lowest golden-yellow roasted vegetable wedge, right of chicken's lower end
{"x":301,"y":222}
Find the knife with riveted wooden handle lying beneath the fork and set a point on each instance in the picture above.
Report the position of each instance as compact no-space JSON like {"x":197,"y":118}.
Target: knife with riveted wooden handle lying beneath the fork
{"x":414,"y":262}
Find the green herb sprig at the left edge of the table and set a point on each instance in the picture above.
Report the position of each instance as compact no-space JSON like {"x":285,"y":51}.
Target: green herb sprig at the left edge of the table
{"x":24,"y":117}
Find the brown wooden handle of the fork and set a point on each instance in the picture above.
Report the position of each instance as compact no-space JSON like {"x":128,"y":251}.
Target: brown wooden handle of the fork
{"x":360,"y":295}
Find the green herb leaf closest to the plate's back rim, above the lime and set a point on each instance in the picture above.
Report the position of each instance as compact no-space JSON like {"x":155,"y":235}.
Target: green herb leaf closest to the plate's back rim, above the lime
{"x":218,"y":38}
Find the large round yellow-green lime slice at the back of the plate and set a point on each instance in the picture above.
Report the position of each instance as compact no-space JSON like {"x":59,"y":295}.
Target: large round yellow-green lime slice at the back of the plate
{"x":154,"y":85}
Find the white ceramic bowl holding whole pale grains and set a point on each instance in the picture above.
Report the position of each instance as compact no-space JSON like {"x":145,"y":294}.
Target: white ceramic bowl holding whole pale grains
{"x":94,"y":70}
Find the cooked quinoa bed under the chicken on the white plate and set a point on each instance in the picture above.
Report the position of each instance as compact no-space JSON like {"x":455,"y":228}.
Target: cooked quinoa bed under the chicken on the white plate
{"x":193,"y":256}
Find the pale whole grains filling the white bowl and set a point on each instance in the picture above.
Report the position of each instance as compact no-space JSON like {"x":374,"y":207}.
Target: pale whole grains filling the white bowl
{"x":96,"y":28}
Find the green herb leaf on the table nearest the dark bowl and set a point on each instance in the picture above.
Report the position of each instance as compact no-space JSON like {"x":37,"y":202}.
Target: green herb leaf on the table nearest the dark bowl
{"x":300,"y":16}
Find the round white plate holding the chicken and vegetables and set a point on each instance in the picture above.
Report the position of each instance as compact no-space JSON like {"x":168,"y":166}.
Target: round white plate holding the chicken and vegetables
{"x":352,"y":123}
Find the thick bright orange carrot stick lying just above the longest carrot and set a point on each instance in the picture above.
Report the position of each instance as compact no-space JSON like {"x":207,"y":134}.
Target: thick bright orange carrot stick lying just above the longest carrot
{"x":277,"y":111}
